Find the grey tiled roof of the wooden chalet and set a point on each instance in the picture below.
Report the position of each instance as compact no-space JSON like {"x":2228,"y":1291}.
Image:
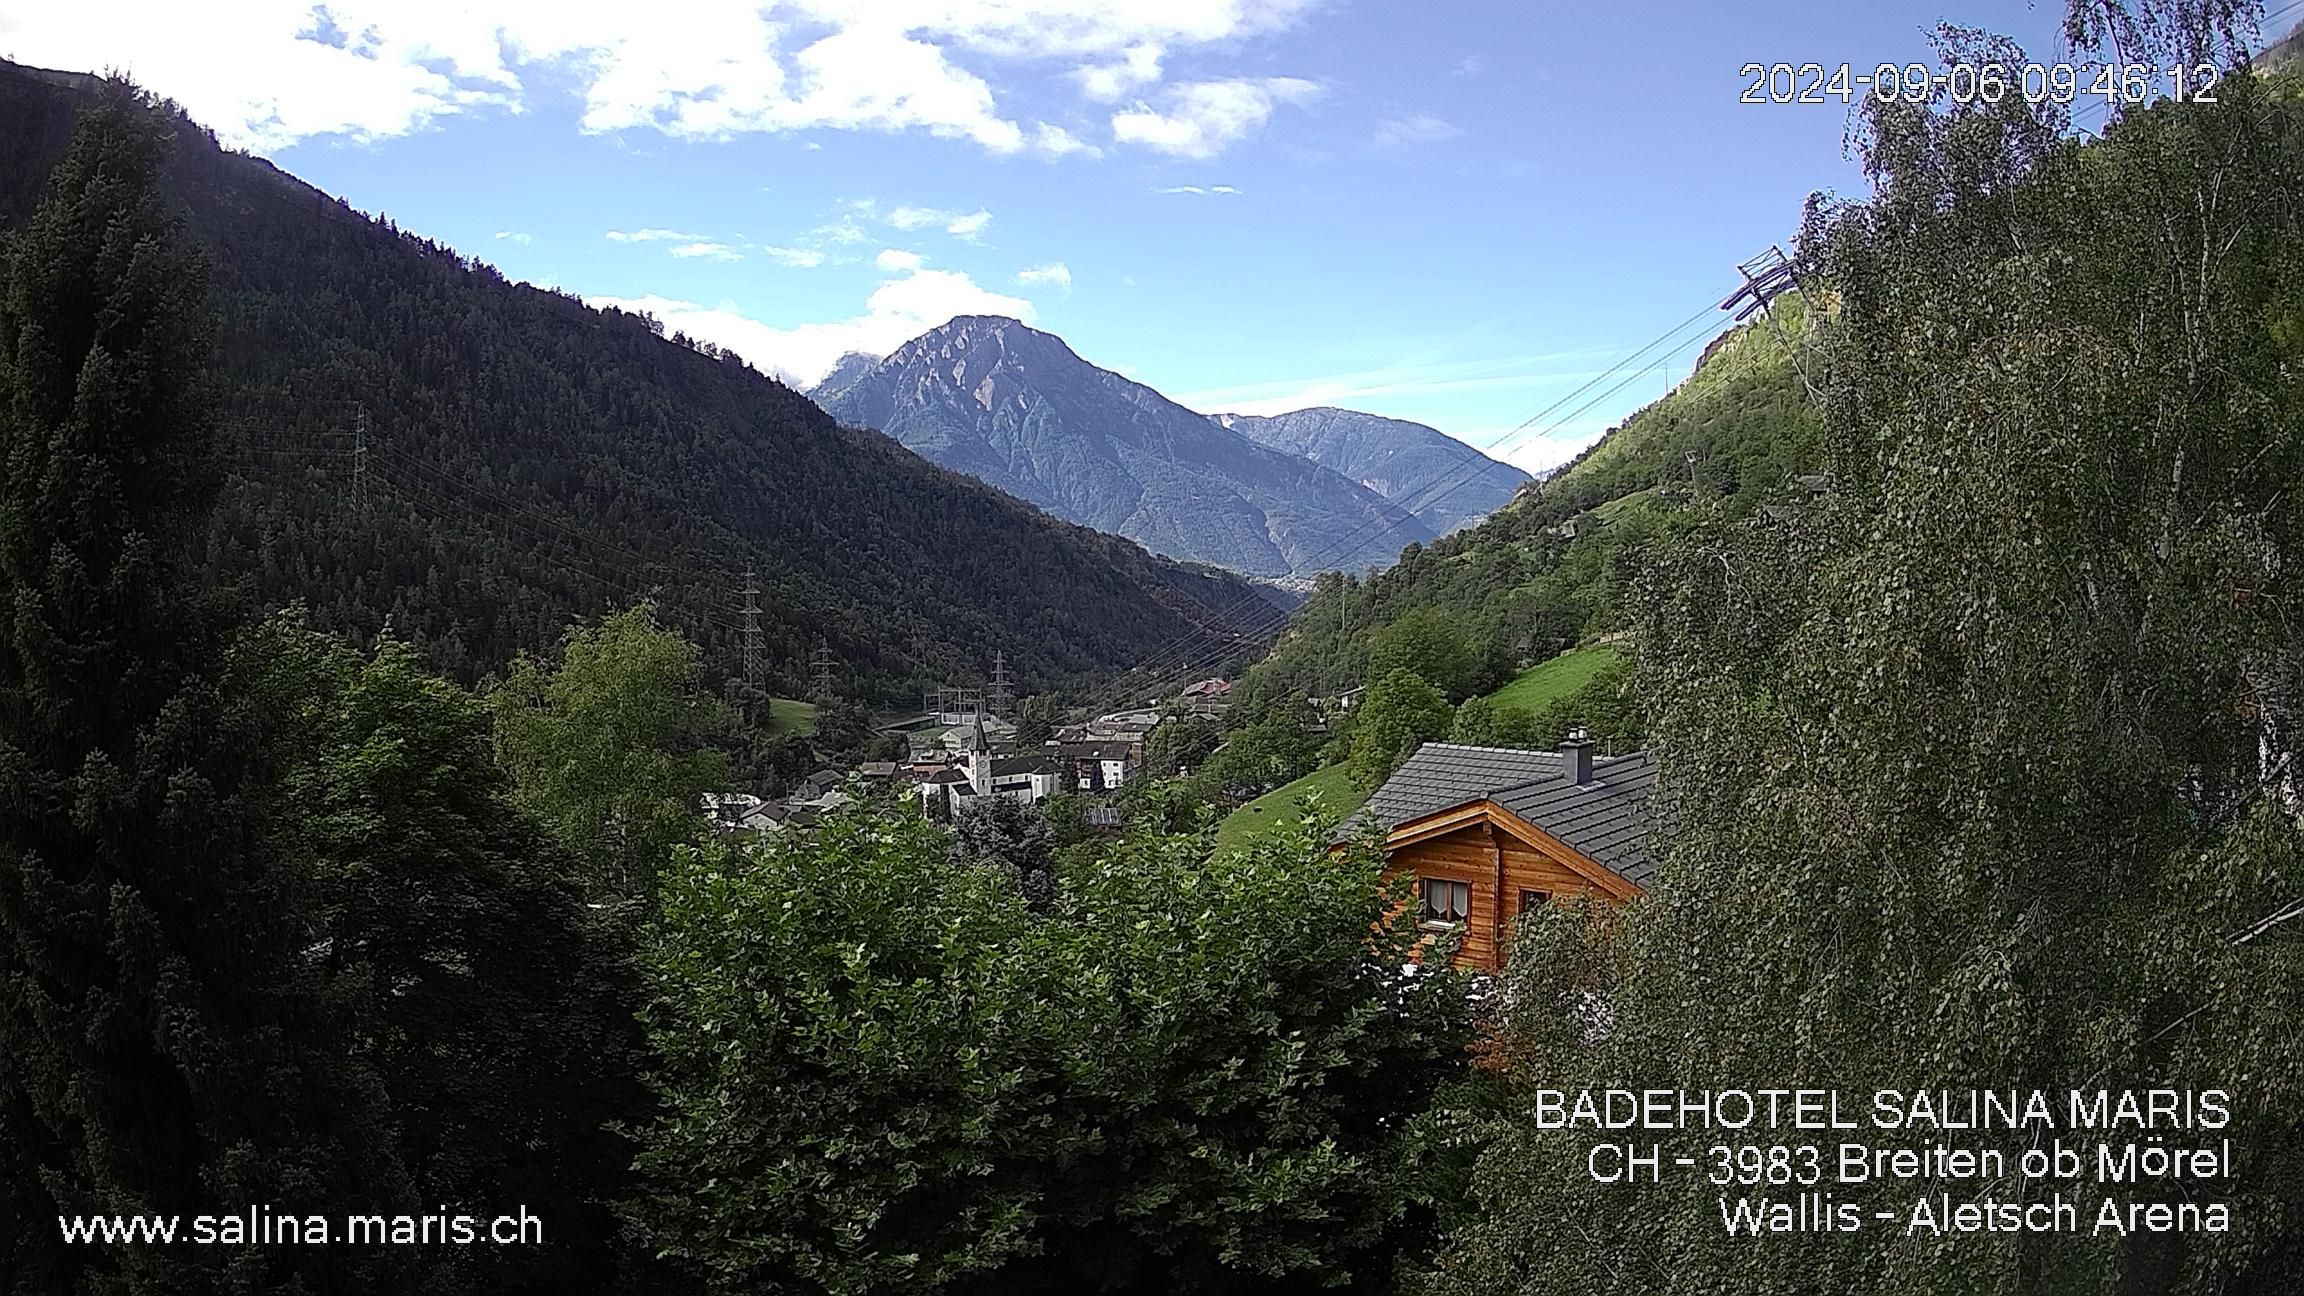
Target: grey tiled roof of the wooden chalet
{"x":1607,"y":820}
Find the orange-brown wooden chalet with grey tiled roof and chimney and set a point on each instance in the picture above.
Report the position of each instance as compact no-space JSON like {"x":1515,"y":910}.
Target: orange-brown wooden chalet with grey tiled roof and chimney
{"x":1492,"y":834}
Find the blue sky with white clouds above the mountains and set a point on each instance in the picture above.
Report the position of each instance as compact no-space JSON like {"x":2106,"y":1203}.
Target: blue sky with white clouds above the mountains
{"x":1446,"y":211}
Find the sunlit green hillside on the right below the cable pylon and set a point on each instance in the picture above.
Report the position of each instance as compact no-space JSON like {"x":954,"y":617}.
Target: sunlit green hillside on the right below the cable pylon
{"x":1549,"y":571}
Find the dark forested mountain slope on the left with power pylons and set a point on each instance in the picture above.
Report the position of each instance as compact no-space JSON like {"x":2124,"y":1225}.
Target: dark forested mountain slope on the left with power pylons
{"x":529,"y":460}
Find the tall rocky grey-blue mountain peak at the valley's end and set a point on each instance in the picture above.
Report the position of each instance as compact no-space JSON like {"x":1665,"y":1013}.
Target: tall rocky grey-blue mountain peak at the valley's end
{"x":1015,"y":407}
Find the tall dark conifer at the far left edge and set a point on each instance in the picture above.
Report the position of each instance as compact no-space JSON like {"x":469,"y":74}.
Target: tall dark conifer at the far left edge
{"x":165,"y":1043}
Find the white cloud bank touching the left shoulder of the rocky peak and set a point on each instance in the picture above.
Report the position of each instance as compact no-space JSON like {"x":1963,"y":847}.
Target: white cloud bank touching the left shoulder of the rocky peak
{"x":897,"y":312}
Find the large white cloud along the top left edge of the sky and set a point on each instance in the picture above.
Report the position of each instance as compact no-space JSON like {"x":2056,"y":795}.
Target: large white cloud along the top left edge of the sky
{"x":273,"y":73}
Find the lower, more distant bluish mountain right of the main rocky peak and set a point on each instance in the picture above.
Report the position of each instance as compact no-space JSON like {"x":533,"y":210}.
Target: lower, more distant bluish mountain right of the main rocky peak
{"x":1434,"y":476}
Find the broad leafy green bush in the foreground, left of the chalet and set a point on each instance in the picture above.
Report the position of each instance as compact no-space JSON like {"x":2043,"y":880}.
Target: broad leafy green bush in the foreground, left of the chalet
{"x":888,"y":1073}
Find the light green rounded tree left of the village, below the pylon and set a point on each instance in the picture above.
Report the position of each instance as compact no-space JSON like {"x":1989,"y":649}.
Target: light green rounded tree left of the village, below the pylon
{"x":612,"y":748}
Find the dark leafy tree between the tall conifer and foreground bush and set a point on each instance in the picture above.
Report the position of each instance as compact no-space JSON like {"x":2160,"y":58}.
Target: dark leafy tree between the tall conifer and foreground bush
{"x":457,"y":954}
